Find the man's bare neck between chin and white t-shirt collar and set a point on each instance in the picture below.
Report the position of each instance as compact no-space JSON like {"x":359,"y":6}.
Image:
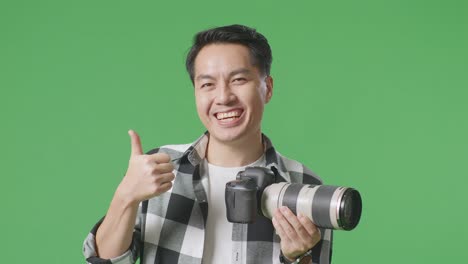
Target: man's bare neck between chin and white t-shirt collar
{"x":235,"y":154}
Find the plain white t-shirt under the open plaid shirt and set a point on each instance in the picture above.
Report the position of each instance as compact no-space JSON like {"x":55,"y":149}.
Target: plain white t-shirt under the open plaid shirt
{"x":218,"y":233}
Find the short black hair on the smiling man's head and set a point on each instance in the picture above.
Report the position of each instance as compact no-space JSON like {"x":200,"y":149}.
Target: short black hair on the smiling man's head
{"x":260,"y":51}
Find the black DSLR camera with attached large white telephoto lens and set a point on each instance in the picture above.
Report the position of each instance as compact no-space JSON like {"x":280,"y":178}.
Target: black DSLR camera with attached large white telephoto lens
{"x":255,"y":191}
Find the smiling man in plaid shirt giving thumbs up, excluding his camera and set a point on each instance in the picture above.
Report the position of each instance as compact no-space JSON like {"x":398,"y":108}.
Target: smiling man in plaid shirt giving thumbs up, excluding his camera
{"x":169,"y":207}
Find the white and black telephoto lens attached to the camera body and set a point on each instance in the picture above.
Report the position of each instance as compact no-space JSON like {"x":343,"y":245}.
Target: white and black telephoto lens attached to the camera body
{"x":331,"y":207}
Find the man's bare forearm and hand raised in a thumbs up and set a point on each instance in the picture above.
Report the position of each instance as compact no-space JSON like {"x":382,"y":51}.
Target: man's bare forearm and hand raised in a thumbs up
{"x":147,"y":176}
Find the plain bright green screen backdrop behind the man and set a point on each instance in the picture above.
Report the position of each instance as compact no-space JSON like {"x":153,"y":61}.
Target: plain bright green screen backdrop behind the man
{"x":368,"y":94}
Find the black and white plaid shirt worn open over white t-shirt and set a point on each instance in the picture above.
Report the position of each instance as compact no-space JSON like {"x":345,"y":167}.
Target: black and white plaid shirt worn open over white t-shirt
{"x":170,"y":228}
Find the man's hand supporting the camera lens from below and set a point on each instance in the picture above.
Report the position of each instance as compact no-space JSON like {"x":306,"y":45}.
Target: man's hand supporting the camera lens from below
{"x":298,"y":234}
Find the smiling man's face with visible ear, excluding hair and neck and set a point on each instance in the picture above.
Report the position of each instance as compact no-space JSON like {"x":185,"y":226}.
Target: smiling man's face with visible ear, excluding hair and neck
{"x":230,"y":92}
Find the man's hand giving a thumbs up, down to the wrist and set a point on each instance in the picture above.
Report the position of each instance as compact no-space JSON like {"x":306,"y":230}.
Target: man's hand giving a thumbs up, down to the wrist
{"x":147,"y":175}
